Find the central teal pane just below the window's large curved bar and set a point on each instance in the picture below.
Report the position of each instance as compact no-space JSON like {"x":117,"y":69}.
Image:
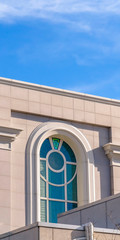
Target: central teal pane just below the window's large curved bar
{"x":56,"y":192}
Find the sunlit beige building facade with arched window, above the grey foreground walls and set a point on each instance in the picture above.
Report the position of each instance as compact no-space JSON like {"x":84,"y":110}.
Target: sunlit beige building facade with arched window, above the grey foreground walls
{"x":58,"y":150}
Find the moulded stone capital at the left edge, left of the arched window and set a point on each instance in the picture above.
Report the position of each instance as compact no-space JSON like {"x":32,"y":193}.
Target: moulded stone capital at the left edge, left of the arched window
{"x":8,"y":135}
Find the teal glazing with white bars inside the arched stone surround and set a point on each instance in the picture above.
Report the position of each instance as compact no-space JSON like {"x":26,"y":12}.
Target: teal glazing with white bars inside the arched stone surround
{"x":58,"y":179}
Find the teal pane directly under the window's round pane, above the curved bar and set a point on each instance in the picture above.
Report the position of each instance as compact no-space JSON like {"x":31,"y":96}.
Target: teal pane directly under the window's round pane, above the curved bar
{"x":56,"y":178}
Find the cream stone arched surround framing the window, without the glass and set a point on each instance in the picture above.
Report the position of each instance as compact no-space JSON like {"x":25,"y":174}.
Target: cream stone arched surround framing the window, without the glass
{"x":84,"y":157}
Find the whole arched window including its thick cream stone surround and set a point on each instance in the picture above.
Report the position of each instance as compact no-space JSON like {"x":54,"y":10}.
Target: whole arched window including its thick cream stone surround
{"x":54,"y":186}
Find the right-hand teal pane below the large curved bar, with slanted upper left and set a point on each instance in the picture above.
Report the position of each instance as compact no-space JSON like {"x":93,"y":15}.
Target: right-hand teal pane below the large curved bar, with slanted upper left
{"x":72,"y":190}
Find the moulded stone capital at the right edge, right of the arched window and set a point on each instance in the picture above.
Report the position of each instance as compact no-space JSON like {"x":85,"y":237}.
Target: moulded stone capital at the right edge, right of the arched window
{"x":113,"y":153}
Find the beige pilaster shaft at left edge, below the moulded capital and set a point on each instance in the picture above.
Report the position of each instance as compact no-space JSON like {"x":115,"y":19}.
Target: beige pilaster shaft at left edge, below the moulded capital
{"x":5,"y":190}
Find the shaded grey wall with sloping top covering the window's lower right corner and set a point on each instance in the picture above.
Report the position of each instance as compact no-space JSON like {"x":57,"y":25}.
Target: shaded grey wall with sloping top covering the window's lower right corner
{"x":104,"y":213}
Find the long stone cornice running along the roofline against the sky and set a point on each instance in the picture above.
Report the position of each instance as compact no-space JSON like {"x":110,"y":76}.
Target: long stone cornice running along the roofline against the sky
{"x":58,"y":91}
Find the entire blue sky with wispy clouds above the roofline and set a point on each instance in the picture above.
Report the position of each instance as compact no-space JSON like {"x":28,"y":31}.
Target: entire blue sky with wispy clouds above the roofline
{"x":69,"y":44}
